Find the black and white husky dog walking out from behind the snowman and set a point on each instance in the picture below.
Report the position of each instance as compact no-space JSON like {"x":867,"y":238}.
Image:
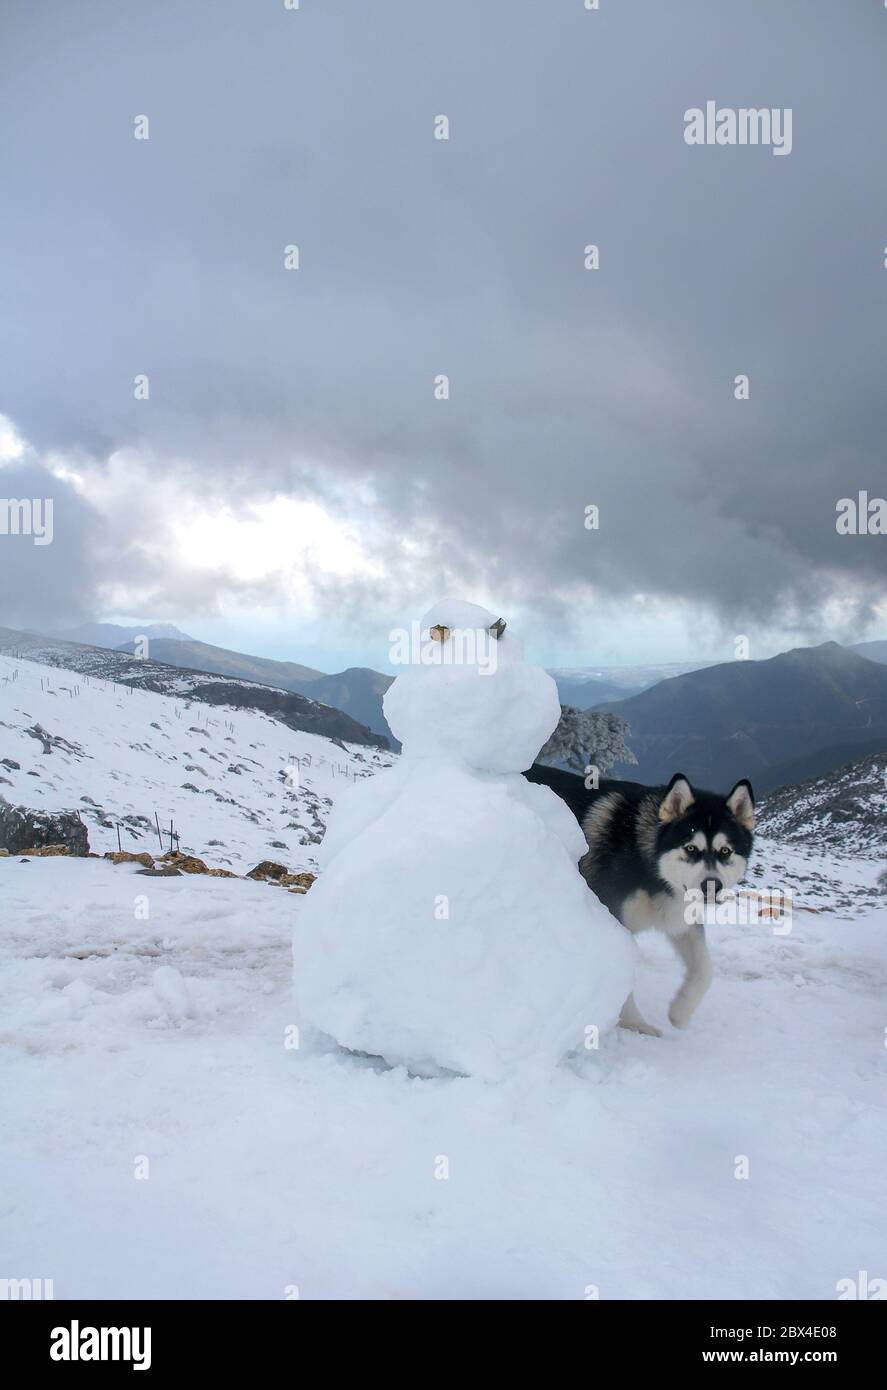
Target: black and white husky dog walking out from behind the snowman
{"x":656,"y":857}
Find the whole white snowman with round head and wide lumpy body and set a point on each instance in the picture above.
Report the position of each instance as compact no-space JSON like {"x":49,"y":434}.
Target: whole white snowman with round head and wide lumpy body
{"x":450,"y":928}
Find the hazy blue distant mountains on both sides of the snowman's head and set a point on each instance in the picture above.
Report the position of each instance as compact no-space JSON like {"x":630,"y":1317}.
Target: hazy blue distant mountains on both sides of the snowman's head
{"x":797,"y":715}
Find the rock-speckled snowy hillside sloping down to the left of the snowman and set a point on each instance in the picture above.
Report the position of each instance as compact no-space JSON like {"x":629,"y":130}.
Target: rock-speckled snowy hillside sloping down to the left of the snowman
{"x":237,"y":785}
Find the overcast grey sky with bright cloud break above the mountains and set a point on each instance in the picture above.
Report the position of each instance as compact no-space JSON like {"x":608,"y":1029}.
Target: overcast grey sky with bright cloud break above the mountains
{"x":293,"y":486}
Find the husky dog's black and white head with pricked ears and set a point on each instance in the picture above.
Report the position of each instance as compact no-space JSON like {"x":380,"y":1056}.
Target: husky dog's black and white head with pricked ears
{"x":704,"y":840}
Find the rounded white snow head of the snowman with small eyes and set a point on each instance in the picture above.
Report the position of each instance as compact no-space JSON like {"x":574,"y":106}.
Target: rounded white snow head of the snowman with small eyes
{"x":468,"y":696}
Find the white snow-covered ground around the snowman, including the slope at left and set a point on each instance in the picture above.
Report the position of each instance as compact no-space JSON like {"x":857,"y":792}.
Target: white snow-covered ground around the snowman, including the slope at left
{"x":162,"y":1136}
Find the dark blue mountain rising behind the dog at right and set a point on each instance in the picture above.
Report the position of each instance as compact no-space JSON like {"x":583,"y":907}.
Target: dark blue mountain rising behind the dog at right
{"x":750,"y":719}
